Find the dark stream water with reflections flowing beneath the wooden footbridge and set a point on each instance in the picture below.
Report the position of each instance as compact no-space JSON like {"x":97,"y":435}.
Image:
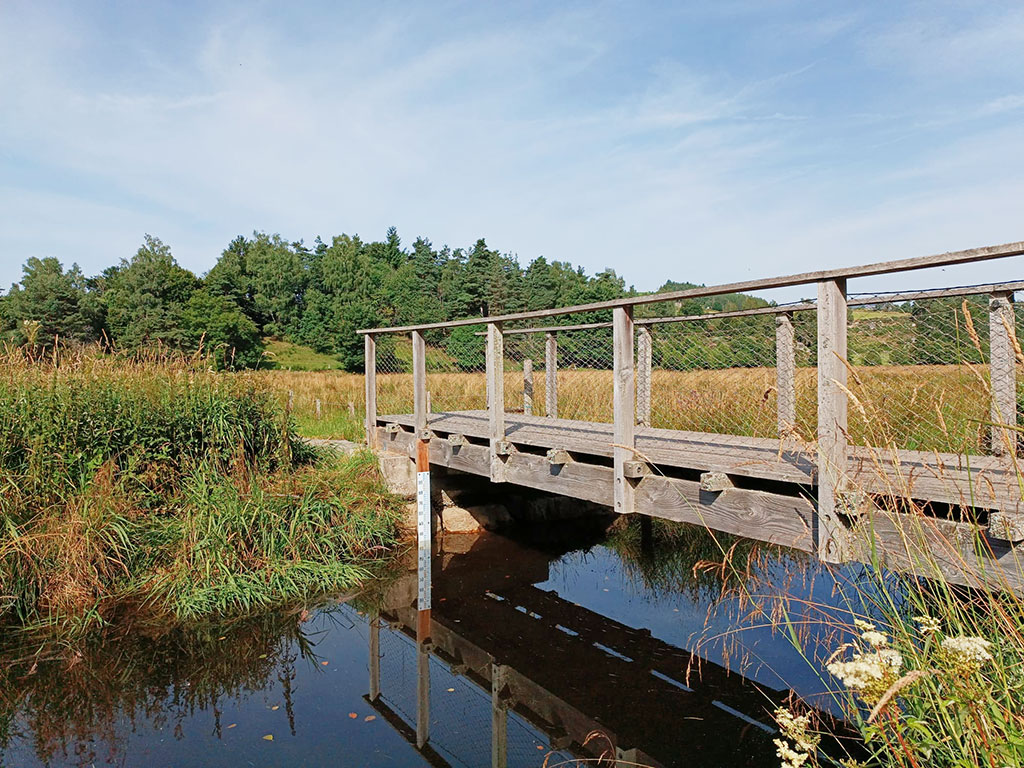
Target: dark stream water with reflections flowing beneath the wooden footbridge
{"x":569,"y":646}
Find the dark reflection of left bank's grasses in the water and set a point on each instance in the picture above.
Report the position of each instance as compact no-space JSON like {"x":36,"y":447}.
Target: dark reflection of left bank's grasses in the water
{"x":74,"y":702}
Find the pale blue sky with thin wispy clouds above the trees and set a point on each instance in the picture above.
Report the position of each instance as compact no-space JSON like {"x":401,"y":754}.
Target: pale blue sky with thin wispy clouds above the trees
{"x":705,"y":142}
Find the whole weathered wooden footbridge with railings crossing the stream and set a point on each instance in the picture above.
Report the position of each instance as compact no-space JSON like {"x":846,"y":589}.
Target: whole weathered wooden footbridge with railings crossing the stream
{"x":945,"y":510}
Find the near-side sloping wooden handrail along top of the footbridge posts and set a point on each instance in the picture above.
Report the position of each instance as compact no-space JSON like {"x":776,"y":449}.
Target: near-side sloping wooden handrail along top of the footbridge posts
{"x":883,"y":268}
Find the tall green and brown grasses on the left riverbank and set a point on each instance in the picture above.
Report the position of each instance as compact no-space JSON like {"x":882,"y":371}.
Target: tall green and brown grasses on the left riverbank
{"x":154,"y":483}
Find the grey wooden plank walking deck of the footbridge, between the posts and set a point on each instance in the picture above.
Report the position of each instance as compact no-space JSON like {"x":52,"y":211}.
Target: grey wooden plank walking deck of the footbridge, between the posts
{"x":984,"y":482}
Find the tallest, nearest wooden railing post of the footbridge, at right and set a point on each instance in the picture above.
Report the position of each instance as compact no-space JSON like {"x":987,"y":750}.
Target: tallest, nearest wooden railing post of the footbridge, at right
{"x":832,"y":417}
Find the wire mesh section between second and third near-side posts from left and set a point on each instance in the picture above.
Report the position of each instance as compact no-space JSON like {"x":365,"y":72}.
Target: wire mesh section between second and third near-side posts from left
{"x":456,"y":366}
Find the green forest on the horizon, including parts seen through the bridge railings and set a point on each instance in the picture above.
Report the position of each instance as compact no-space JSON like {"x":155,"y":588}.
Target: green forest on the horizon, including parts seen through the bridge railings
{"x":265,"y":290}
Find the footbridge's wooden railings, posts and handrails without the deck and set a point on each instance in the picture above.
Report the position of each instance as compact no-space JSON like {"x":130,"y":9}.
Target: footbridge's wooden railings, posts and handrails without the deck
{"x":632,"y":364}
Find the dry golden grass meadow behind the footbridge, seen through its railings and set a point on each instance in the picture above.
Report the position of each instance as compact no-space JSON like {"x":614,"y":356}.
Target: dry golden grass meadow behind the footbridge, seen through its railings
{"x":941,"y":408}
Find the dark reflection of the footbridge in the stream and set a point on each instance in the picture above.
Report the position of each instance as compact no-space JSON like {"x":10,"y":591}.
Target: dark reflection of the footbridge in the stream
{"x":510,"y":668}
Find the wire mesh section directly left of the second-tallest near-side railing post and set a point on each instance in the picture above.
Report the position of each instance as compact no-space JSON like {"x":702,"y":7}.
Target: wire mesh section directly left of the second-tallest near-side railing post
{"x":585,"y":375}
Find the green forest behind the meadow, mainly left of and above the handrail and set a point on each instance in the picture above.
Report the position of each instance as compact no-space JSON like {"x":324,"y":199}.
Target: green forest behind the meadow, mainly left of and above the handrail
{"x":265,"y":287}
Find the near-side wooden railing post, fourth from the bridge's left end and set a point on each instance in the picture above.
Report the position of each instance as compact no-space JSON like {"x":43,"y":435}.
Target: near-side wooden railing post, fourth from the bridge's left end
{"x":624,"y":406}
